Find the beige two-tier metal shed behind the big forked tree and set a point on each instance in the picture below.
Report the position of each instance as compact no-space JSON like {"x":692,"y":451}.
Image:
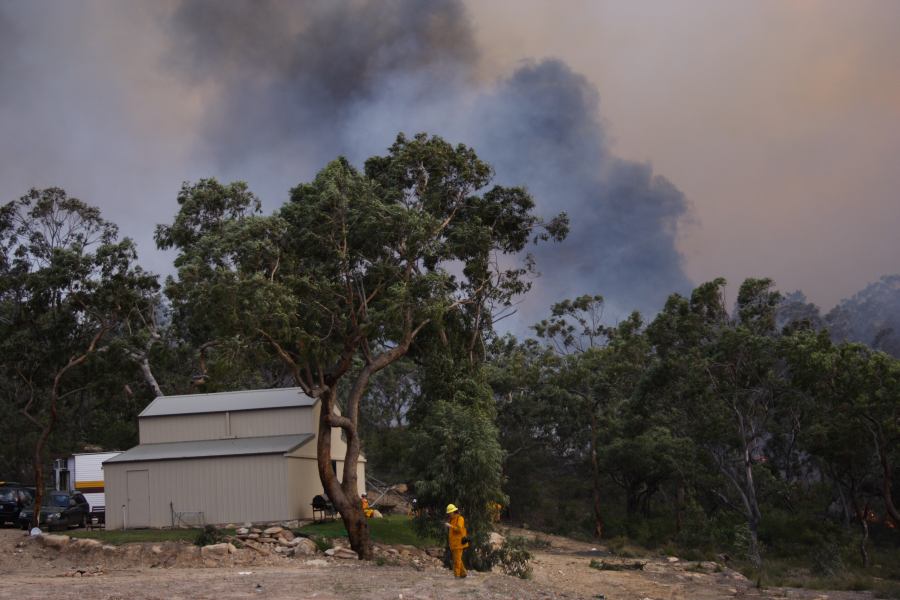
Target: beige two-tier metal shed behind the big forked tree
{"x":222,"y":458}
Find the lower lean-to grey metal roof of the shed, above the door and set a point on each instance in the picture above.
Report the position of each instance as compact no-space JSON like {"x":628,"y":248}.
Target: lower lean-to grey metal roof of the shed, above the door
{"x":275,"y":444}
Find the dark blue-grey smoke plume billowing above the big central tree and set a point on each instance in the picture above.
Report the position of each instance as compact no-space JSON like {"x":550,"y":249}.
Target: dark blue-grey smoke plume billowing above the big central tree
{"x":315,"y":80}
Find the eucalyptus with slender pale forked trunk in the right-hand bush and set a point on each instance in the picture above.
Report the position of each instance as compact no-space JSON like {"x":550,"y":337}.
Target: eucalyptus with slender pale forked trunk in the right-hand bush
{"x":723,"y":378}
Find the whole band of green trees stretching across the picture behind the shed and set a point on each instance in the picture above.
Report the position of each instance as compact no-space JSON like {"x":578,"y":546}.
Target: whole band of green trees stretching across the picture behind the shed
{"x":713,"y":426}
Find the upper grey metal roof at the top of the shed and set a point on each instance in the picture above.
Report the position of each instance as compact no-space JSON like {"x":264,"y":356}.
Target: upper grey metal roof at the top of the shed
{"x":227,"y":401}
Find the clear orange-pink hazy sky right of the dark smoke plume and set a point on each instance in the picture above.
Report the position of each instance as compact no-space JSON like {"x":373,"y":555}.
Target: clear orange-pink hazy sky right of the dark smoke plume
{"x":779,"y":120}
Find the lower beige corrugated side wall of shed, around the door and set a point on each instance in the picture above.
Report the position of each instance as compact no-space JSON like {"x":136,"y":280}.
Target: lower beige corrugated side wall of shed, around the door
{"x":226,"y":489}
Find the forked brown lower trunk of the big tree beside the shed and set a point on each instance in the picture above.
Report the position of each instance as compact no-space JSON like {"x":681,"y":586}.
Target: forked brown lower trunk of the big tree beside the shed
{"x":344,"y":496}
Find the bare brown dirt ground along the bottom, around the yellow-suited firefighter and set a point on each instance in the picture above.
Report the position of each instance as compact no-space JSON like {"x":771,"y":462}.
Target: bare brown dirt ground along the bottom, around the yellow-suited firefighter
{"x":29,"y":571}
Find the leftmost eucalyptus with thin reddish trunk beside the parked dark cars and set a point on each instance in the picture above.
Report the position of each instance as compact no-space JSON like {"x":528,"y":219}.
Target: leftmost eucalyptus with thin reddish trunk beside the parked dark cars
{"x":67,"y":285}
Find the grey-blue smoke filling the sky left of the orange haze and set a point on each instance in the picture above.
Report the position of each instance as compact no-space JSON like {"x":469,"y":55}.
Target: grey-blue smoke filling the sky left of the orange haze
{"x":285,"y":87}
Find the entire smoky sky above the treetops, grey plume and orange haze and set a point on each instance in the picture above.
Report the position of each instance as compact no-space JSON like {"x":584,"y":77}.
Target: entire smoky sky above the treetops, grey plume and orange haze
{"x":687,"y":140}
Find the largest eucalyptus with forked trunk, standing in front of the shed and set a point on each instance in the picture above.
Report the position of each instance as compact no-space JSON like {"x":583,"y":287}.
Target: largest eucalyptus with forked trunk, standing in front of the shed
{"x":344,"y":277}
